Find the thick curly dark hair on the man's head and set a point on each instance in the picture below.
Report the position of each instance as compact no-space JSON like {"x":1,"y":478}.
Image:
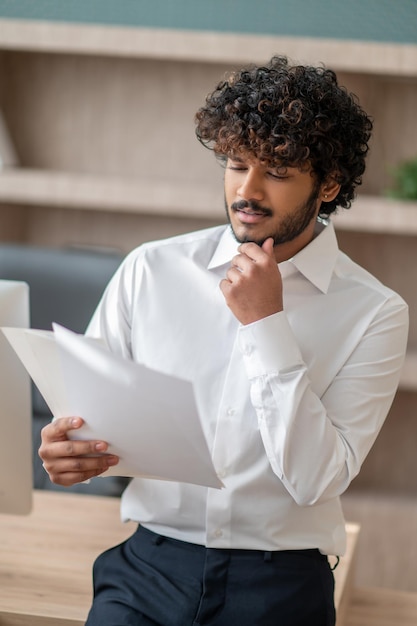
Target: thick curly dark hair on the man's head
{"x":290,"y":115}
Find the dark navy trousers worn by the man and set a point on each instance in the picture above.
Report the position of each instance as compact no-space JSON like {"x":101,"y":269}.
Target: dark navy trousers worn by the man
{"x":151,"y":580}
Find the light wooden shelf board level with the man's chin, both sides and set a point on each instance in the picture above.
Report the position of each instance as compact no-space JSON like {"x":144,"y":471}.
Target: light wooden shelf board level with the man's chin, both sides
{"x":68,"y":190}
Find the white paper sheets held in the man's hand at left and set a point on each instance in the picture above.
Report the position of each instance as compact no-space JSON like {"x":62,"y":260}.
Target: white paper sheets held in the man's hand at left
{"x":150,"y":420}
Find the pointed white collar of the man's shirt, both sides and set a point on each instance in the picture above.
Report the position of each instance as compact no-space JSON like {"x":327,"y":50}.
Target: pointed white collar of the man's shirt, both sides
{"x":316,"y":261}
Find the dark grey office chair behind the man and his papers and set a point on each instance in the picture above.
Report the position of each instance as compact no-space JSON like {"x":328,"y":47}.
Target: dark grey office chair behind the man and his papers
{"x":65,"y":287}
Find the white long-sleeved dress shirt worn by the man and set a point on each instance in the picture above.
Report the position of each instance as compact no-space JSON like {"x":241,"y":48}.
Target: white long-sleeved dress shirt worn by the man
{"x":290,"y":404}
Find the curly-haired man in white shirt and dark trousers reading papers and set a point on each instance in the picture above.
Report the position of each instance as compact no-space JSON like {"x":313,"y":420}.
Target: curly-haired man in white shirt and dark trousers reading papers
{"x":294,"y":352}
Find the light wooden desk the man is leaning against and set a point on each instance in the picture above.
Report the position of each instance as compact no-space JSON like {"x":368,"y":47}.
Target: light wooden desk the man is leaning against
{"x":46,"y":558}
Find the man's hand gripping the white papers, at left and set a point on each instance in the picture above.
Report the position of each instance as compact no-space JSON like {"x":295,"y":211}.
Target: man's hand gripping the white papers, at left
{"x":69,"y":461}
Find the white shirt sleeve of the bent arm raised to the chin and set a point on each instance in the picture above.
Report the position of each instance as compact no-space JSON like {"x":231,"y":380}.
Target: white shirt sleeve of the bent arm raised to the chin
{"x":316,"y":445}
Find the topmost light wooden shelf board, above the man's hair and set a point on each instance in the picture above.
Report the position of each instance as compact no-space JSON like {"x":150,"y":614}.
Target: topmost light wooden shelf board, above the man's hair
{"x":206,"y":46}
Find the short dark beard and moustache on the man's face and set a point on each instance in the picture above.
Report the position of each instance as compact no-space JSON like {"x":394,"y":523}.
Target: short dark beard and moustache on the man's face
{"x":291,"y":226}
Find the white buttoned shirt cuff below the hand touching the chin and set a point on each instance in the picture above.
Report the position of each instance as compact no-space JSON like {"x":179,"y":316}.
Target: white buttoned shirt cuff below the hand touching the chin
{"x":269,"y":346}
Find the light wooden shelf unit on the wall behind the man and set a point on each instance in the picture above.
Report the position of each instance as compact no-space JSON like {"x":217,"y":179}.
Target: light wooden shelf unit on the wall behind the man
{"x":101,"y":122}
